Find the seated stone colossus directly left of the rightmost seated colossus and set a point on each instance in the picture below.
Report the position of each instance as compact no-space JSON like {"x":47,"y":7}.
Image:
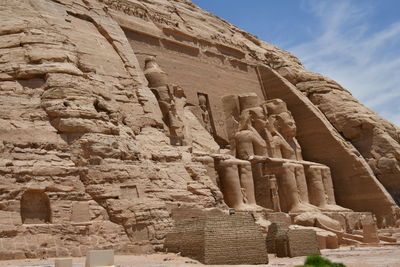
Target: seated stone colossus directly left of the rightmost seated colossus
{"x":290,"y":175}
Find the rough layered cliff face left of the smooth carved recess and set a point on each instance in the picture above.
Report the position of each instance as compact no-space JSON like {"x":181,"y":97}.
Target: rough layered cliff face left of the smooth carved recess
{"x":81,"y":145}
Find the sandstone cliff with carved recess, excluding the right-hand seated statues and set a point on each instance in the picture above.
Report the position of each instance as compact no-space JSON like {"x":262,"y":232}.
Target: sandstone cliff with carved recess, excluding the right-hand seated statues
{"x":86,"y":156}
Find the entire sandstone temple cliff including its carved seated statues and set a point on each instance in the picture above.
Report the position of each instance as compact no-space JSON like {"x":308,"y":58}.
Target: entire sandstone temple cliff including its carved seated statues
{"x":140,"y":126}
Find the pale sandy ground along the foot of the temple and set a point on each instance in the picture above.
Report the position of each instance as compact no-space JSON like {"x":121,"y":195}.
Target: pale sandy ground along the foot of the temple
{"x":352,"y":257}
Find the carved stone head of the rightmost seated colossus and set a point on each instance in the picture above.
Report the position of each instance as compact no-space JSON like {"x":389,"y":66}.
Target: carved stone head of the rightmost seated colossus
{"x":281,"y":117}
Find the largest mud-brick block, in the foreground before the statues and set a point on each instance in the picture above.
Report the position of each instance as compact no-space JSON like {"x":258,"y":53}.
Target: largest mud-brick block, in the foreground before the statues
{"x":223,"y":239}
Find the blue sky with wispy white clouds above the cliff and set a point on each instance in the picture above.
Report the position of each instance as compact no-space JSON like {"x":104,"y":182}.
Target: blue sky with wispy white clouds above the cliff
{"x":355,"y":42}
